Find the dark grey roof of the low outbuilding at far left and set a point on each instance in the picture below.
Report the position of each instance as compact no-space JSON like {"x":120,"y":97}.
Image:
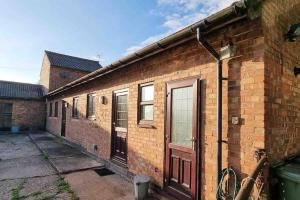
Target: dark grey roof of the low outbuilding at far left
{"x":20,"y":90}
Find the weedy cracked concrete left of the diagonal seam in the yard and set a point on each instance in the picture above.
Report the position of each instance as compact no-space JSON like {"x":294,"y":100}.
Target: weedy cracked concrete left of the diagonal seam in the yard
{"x":26,"y":174}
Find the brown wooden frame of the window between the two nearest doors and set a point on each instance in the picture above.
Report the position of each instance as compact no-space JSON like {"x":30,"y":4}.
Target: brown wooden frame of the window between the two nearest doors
{"x":142,"y":122}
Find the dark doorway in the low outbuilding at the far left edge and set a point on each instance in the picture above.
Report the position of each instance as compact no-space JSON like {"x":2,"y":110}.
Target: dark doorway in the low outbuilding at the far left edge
{"x":5,"y":116}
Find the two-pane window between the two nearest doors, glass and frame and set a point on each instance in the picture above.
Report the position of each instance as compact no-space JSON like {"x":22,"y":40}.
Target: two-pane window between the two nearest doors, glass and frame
{"x":146,"y":97}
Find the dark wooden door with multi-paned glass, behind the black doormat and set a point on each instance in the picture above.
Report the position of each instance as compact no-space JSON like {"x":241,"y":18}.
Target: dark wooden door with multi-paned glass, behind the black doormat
{"x":119,"y":126}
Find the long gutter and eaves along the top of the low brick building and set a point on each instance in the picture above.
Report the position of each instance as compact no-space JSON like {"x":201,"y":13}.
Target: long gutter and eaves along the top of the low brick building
{"x":235,"y":12}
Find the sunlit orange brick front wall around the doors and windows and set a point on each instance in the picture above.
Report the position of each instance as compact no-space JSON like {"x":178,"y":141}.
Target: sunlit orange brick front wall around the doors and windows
{"x":243,"y":96}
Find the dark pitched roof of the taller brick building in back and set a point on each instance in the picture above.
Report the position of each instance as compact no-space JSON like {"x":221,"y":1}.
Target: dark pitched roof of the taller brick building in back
{"x":61,"y":60}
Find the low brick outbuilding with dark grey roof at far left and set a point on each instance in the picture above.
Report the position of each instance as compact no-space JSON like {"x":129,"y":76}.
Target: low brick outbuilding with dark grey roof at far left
{"x":22,"y":106}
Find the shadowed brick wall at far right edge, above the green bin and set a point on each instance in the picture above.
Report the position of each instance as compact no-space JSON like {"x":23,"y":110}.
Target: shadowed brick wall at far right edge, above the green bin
{"x":282,"y":88}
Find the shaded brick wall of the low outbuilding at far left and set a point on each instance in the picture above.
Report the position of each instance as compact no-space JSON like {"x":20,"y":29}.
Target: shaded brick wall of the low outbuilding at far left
{"x":27,"y":114}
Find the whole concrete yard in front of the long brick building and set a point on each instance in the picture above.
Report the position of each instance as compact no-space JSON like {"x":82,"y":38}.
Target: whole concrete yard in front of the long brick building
{"x":38,"y":166}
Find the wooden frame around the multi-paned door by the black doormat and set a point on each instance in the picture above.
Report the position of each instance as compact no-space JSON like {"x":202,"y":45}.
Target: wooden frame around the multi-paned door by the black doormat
{"x":113,"y":119}
